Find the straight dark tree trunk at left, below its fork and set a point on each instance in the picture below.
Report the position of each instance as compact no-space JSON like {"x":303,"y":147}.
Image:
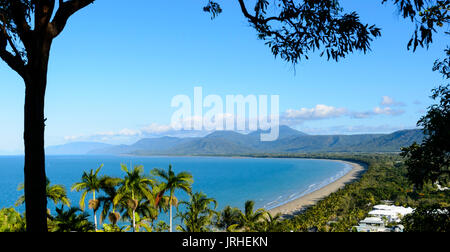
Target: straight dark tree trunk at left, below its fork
{"x":35,"y":177}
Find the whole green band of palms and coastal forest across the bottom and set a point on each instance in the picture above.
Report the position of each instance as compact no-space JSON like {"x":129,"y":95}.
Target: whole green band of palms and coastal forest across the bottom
{"x":136,"y":201}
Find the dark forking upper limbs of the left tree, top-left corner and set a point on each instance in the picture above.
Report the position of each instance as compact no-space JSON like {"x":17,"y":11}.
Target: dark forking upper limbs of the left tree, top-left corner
{"x":25,"y":24}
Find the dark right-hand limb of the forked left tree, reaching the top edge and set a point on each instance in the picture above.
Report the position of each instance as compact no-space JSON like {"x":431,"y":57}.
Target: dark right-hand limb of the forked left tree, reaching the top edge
{"x":64,"y":12}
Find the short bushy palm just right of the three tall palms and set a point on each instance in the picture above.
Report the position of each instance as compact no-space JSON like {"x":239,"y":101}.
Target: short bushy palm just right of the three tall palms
{"x":199,"y":214}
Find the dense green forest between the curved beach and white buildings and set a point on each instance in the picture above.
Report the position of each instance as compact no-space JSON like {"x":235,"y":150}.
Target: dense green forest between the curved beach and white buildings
{"x":385,"y":178}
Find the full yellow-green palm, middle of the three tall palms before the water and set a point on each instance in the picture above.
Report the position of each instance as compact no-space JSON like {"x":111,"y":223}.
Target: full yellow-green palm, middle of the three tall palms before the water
{"x":134,"y":187}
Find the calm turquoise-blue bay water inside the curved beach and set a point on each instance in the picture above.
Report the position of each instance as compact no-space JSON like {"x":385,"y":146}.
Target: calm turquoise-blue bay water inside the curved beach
{"x":231,"y":181}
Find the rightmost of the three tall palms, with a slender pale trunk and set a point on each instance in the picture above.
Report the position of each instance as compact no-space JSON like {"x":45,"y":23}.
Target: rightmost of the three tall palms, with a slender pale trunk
{"x":182,"y":181}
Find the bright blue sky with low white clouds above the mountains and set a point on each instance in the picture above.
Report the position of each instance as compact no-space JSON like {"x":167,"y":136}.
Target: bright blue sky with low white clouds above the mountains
{"x":116,"y":68}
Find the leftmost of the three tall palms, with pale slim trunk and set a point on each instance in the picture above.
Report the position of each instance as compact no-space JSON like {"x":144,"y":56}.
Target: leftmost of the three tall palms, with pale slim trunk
{"x":89,"y":183}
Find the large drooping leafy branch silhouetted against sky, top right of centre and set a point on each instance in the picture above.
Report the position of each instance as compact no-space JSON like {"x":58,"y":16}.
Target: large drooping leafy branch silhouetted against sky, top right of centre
{"x":294,"y":29}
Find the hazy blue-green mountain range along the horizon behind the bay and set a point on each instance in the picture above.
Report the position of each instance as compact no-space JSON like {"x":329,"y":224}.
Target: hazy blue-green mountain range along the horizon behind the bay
{"x":233,"y":143}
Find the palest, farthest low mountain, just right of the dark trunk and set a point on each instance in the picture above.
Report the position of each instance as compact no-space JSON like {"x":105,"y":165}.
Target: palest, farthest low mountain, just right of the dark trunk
{"x":77,"y":148}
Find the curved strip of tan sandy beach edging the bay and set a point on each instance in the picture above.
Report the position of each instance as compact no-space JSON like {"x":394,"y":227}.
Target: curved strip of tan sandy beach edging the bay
{"x":296,"y":206}
